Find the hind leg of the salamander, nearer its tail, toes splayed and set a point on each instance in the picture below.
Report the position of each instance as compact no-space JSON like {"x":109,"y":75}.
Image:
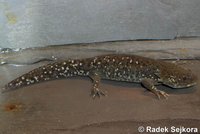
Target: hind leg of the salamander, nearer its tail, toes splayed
{"x":95,"y":89}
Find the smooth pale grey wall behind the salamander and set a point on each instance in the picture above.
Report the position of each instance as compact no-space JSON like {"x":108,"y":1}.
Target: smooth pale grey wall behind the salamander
{"x":28,"y":23}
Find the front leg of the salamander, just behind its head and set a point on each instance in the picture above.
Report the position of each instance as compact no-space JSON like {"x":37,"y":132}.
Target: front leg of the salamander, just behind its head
{"x":150,"y":85}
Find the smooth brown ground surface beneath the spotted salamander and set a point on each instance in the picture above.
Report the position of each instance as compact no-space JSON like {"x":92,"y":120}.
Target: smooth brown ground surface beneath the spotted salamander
{"x":65,"y":107}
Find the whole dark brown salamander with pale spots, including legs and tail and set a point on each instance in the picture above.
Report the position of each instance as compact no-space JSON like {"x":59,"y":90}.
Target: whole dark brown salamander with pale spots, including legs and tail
{"x":117,"y":67}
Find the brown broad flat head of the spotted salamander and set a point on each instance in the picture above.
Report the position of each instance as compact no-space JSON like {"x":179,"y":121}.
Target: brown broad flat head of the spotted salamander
{"x":178,"y":77}
